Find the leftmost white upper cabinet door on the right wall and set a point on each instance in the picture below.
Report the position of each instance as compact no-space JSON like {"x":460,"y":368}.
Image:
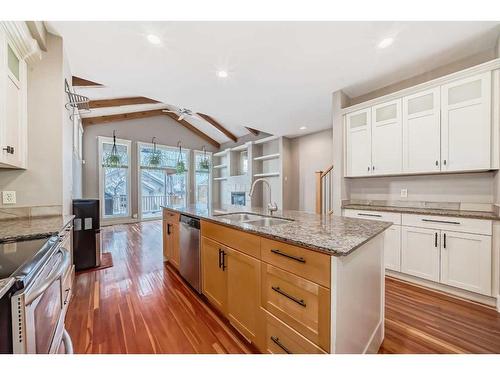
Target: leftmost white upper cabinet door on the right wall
{"x":359,"y":134}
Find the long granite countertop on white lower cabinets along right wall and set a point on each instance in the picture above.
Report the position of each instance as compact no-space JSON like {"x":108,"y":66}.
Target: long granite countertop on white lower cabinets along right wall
{"x":426,"y":211}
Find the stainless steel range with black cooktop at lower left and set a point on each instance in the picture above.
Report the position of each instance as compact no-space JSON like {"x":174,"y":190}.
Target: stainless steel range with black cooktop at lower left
{"x":34,"y":301}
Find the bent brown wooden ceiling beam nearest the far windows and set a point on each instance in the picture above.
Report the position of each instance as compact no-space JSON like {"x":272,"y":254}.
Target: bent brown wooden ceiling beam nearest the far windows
{"x":144,"y":114}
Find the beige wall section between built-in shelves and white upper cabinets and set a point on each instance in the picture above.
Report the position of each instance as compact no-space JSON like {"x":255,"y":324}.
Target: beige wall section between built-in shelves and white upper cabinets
{"x":310,"y":153}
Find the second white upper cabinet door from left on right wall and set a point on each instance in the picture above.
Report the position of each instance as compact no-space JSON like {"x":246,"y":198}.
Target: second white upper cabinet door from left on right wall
{"x":386,"y":138}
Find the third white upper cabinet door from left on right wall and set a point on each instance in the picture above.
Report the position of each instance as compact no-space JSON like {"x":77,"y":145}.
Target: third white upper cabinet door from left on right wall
{"x":421,"y":132}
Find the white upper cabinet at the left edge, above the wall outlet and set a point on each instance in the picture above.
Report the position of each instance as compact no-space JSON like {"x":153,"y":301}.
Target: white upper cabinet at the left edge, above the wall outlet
{"x":13,"y":104}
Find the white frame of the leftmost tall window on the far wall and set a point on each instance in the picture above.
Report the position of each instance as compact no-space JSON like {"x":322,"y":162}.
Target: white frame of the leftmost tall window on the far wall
{"x":128,"y":144}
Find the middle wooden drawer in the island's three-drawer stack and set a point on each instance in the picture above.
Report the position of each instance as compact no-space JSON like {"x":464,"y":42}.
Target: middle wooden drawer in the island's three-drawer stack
{"x":302,"y":304}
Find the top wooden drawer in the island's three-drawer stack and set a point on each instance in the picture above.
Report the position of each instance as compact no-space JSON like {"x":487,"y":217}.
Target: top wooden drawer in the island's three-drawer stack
{"x":306,"y":263}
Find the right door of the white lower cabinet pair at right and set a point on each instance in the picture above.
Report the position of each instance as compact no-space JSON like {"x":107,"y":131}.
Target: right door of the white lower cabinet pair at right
{"x":466,"y":261}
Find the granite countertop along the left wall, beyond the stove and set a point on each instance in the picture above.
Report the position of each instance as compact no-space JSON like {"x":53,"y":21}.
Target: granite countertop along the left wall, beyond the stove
{"x":26,"y":228}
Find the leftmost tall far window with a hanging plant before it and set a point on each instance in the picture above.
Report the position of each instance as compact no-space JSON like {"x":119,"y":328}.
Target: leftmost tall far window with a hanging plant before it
{"x":114,"y":178}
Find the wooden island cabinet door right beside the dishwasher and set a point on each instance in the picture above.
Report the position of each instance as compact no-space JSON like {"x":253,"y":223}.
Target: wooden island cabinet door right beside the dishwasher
{"x":214,"y":277}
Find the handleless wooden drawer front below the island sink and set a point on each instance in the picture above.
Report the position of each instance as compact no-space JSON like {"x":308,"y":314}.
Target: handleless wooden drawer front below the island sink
{"x":237,"y":239}
